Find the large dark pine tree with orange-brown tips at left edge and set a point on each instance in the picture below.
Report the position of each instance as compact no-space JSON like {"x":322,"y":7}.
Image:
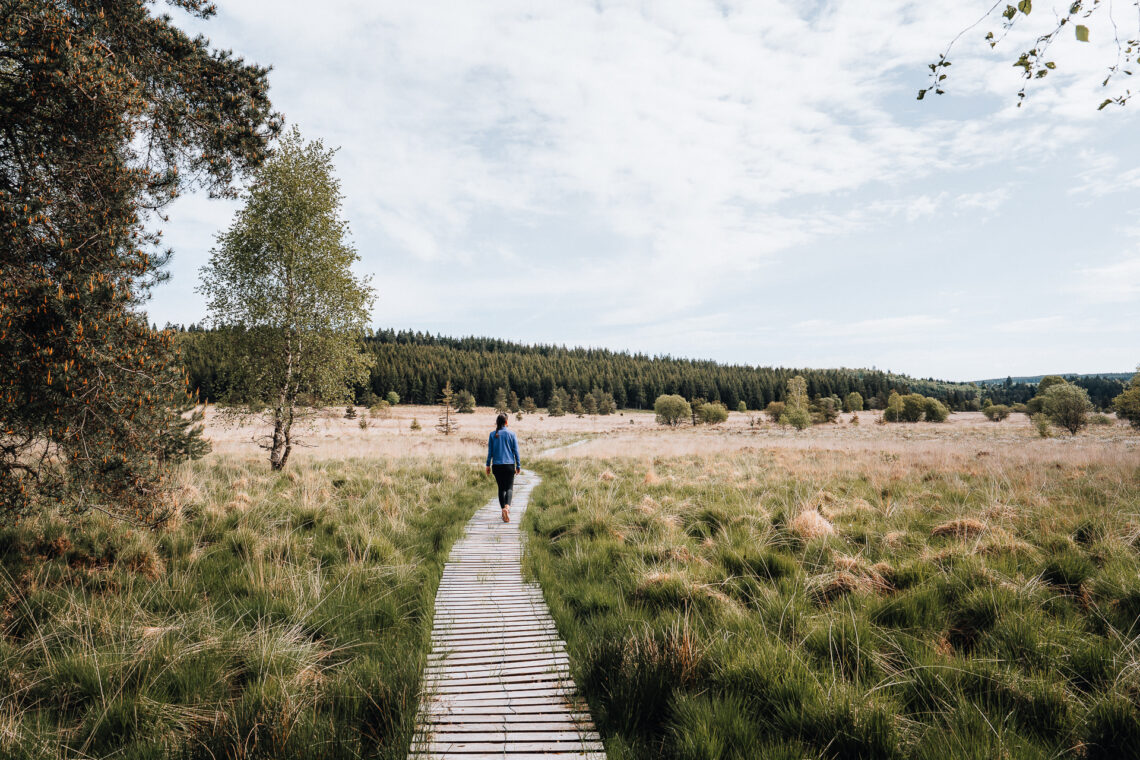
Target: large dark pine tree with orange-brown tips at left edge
{"x":108,"y":113}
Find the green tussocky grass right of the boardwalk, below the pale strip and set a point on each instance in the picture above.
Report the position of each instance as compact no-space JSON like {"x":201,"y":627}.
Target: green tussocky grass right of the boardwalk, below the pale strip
{"x":850,"y":604}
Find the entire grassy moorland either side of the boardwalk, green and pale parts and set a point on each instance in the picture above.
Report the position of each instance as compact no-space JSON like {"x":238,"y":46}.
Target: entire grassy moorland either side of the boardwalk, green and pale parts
{"x":966,"y":591}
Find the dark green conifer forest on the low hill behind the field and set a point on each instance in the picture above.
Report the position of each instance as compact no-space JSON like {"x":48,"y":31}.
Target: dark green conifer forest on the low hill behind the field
{"x":417,"y":366}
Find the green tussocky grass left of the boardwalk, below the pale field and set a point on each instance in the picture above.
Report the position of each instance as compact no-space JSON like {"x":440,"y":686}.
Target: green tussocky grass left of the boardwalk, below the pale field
{"x":284,"y":616}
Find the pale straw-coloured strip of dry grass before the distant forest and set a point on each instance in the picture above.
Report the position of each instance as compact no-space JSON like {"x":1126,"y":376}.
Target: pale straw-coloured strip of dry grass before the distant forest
{"x":330,"y":436}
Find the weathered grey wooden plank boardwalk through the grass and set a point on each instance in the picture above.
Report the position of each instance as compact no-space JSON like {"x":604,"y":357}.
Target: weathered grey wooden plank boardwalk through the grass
{"x":498,"y":683}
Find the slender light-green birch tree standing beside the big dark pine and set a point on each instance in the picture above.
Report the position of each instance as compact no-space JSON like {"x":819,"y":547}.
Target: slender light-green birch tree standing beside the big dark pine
{"x":281,"y":281}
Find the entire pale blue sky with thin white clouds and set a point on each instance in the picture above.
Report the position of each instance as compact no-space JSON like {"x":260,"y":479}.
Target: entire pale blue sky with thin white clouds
{"x":751,"y":183}
